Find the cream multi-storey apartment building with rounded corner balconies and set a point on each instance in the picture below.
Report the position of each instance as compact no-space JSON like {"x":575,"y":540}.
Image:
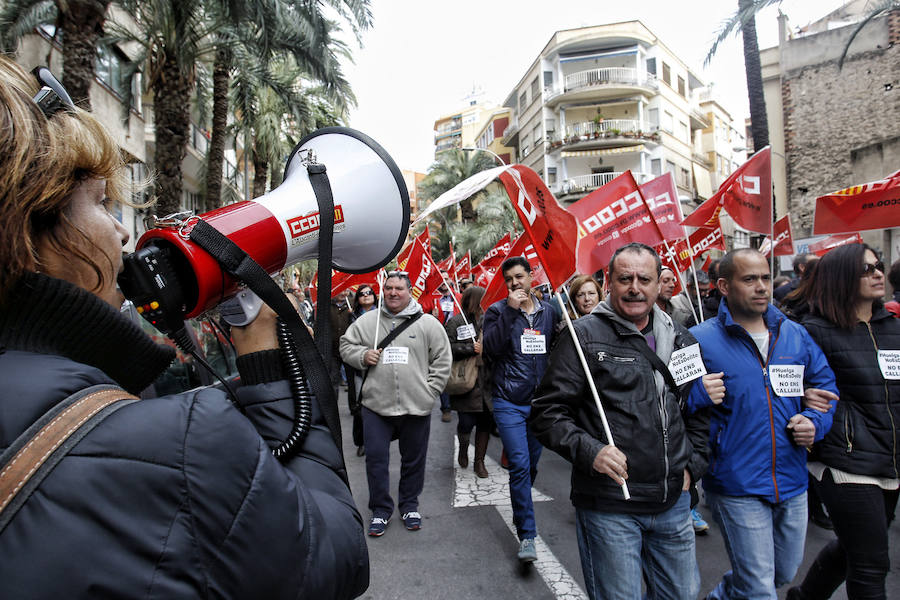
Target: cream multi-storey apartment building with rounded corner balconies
{"x":600,"y":100}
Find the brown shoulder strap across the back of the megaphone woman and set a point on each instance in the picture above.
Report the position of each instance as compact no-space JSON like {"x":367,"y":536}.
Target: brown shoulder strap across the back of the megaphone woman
{"x":34,"y":454}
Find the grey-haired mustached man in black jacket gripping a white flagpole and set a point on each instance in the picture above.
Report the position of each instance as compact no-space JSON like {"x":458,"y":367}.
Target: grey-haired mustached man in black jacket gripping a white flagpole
{"x":658,"y":451}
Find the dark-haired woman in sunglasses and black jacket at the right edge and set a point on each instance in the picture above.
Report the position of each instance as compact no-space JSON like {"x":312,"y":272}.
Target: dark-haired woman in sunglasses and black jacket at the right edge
{"x":856,"y":462}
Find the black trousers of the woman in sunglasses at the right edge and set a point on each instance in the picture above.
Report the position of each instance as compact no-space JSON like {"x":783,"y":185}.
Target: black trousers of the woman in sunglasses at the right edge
{"x":861,"y":515}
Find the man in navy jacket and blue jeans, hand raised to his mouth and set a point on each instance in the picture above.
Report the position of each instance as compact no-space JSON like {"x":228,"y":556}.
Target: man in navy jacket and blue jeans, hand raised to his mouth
{"x":518,"y":333}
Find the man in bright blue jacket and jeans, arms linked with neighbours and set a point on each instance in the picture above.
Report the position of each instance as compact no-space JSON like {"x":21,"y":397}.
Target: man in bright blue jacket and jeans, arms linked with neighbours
{"x":762,"y":368}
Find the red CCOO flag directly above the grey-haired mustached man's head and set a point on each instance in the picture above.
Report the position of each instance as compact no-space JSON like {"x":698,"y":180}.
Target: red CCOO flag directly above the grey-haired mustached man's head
{"x":610,"y":217}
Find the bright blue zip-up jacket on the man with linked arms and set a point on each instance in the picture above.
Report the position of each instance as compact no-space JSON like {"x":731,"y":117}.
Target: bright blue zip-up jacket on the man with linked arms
{"x":752,"y":452}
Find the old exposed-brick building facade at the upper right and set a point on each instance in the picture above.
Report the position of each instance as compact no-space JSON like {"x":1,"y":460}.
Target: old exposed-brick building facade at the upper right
{"x":831,"y":128}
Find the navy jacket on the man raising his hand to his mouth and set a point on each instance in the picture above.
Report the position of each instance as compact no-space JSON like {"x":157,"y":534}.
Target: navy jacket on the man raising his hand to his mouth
{"x":516,"y":375}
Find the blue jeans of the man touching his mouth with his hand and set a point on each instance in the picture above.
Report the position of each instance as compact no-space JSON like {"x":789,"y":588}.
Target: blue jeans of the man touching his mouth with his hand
{"x":523,"y":452}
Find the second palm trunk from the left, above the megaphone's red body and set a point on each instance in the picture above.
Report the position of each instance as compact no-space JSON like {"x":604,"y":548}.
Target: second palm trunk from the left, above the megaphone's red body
{"x":171,"y":110}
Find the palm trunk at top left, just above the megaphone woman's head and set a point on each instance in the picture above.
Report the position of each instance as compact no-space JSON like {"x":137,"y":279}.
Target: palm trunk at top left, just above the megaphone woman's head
{"x":81,"y":25}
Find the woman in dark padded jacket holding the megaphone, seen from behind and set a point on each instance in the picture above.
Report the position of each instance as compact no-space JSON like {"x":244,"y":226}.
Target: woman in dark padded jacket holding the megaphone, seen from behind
{"x":106,"y":495}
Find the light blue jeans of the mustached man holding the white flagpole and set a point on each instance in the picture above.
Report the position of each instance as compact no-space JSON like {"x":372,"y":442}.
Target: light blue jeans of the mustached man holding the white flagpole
{"x":617,"y":548}
